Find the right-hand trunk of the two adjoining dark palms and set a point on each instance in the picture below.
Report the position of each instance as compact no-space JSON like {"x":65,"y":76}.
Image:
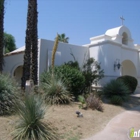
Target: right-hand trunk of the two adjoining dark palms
{"x":34,"y":69}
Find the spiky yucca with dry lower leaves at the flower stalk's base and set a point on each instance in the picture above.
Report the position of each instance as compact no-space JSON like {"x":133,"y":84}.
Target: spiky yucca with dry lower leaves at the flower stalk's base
{"x":55,"y":91}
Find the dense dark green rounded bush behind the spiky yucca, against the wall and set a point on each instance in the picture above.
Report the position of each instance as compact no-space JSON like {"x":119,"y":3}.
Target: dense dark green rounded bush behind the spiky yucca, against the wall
{"x":73,"y":77}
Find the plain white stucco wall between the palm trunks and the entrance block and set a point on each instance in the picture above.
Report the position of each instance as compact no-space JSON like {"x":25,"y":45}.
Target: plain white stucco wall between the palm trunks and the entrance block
{"x":63,"y":53}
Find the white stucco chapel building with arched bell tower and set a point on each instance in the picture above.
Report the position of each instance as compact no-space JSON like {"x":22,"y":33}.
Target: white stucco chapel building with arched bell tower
{"x":114,"y":49}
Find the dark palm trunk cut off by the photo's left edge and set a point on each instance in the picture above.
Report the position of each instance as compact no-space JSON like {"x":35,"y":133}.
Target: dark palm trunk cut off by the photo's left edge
{"x":1,"y":33}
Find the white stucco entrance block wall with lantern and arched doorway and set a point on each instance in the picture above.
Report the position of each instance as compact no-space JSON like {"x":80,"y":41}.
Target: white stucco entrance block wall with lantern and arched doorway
{"x":107,"y":52}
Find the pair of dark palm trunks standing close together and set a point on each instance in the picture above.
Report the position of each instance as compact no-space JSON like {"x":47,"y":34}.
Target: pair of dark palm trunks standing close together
{"x":30,"y":66}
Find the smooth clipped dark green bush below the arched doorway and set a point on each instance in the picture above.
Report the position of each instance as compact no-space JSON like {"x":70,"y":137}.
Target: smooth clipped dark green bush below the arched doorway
{"x":129,"y":81}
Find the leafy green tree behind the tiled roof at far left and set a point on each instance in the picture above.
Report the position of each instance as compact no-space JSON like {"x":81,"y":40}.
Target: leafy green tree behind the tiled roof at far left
{"x":9,"y":43}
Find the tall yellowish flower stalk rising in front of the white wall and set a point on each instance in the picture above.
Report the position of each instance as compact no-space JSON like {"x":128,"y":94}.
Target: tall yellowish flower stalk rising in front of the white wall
{"x":54,"y":50}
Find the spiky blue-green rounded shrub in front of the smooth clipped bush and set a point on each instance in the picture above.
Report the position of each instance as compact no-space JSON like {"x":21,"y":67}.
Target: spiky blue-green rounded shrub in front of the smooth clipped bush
{"x":116,"y":88}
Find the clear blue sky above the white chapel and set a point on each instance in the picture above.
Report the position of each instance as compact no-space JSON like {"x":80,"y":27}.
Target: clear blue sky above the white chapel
{"x":78,"y":19}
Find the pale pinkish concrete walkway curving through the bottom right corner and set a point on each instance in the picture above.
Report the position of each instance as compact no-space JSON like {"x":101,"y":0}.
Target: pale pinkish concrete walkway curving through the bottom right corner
{"x":118,"y":128}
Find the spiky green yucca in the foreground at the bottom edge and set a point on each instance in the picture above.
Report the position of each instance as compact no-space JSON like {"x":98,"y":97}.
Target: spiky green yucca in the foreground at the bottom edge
{"x":31,"y":111}
